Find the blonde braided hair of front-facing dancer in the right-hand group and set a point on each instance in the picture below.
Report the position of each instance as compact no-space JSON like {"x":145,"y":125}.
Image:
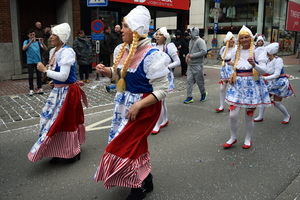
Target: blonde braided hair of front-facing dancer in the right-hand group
{"x":238,"y":53}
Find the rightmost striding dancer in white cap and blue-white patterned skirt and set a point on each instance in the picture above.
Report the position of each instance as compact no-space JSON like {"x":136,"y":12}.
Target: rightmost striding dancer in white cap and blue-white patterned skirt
{"x":277,"y":83}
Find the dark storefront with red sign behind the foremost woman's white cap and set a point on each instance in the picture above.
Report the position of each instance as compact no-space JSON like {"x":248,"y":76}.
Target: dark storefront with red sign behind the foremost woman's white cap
{"x":113,"y":14}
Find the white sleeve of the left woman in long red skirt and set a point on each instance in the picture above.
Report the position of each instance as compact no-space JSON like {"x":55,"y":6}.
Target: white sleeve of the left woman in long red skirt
{"x":65,"y":59}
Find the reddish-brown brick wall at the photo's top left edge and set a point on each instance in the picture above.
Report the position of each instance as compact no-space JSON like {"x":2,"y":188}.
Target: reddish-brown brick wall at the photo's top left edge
{"x":5,"y":22}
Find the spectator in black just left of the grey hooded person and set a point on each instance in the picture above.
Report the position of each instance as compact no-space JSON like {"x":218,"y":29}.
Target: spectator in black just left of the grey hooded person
{"x":184,"y":50}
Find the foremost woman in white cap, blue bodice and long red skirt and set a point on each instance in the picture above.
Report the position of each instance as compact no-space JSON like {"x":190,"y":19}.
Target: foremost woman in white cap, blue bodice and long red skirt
{"x":143,"y":83}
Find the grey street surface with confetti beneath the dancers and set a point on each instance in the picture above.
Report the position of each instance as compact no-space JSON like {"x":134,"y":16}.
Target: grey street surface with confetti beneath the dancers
{"x":188,"y":160}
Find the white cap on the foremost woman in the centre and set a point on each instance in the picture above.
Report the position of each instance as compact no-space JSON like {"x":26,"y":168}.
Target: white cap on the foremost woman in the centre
{"x":138,"y":19}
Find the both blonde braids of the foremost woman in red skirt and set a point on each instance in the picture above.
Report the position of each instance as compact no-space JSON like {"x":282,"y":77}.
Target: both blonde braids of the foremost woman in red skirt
{"x":121,"y":85}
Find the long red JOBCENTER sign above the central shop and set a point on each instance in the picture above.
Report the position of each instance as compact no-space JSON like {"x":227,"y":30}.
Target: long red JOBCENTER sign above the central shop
{"x":174,"y":4}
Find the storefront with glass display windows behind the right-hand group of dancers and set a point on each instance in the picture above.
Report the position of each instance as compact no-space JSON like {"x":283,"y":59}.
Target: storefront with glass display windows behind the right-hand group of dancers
{"x":264,"y":17}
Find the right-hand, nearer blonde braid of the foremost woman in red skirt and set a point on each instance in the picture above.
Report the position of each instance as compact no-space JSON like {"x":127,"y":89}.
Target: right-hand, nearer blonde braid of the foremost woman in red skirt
{"x":121,"y":86}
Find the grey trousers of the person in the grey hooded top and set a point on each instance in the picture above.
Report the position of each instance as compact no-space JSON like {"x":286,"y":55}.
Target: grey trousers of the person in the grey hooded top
{"x":195,"y":75}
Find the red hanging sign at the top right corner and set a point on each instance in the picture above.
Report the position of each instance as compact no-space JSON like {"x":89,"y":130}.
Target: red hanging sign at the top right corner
{"x":293,"y":17}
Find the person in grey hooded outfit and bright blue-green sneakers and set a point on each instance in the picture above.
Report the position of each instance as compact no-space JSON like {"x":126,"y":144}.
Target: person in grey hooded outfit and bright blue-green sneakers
{"x":195,"y":59}
